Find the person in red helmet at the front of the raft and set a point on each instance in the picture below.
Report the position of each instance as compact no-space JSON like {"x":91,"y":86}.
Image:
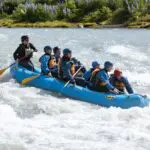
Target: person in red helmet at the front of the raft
{"x":120,"y":82}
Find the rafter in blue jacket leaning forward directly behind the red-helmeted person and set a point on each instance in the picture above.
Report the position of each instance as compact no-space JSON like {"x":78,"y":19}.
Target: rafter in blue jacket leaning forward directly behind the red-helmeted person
{"x":100,"y":79}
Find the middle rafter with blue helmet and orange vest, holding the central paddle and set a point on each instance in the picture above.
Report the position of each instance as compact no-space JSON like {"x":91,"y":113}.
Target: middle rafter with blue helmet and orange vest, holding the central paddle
{"x":67,"y":69}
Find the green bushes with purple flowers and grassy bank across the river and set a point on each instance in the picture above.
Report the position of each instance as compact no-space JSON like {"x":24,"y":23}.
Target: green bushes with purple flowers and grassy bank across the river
{"x":74,"y":13}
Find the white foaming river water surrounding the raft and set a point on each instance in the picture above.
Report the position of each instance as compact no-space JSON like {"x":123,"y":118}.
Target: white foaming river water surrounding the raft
{"x":34,"y":119}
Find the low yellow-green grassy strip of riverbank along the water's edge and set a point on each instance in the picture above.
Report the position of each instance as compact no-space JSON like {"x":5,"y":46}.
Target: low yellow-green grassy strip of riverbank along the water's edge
{"x":9,"y":23}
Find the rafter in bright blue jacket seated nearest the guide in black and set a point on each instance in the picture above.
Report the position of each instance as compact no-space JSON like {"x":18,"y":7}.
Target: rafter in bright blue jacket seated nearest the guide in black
{"x":48,"y":63}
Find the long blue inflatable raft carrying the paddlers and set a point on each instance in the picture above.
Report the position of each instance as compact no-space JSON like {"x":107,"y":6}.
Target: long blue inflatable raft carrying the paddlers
{"x":77,"y":92}
